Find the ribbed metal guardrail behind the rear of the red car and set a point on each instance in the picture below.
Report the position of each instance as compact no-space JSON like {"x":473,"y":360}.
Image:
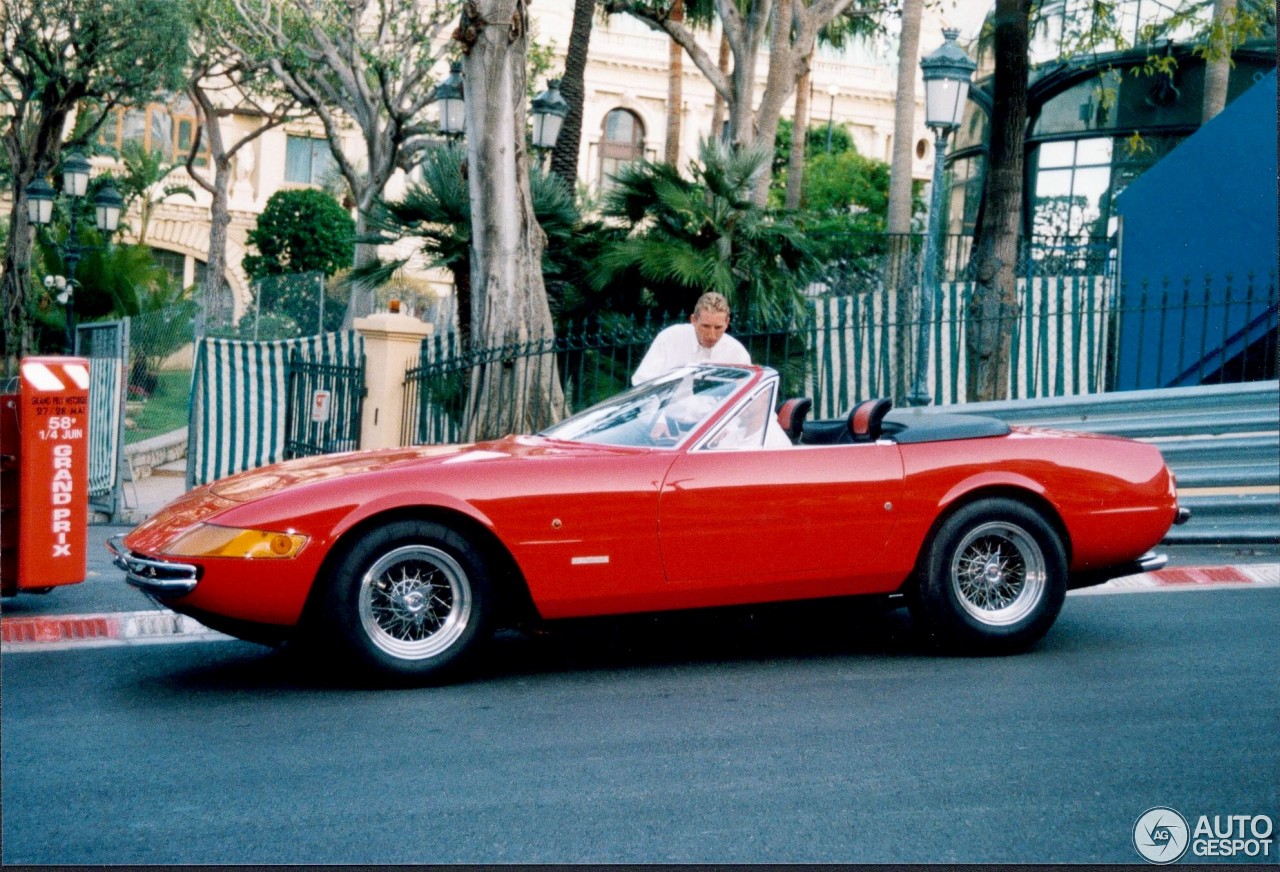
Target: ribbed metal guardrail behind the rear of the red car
{"x":1223,"y":442}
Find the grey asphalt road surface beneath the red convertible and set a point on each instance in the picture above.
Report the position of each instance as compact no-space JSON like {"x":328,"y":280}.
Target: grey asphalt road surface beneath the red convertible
{"x":766,"y":736}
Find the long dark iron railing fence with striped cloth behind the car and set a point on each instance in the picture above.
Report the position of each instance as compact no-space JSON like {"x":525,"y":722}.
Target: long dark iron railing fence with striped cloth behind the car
{"x":1071,"y":336}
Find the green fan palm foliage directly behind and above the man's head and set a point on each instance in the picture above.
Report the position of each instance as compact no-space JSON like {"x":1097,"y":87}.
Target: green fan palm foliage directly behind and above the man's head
{"x":685,"y":238}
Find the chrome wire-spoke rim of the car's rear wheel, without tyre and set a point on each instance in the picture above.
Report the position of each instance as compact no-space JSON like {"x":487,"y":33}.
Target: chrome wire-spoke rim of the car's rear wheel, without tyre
{"x":999,"y":573}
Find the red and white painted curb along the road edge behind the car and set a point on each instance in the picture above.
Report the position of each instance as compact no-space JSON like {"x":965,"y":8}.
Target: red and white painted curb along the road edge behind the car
{"x":62,"y":632}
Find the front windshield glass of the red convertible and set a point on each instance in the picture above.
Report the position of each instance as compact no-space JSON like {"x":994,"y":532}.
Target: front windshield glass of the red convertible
{"x":656,"y":414}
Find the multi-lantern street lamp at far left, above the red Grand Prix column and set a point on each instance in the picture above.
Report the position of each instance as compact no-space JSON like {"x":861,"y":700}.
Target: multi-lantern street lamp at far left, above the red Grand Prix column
{"x":108,"y":207}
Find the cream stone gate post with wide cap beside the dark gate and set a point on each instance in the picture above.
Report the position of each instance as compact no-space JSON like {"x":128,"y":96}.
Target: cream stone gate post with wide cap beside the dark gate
{"x":392,"y":344}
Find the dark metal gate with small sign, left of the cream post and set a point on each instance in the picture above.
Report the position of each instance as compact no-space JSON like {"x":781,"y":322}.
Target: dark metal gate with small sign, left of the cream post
{"x":324,"y":403}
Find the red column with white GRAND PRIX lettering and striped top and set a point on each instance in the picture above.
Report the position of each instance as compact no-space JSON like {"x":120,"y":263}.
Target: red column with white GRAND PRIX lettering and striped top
{"x":53,"y":422}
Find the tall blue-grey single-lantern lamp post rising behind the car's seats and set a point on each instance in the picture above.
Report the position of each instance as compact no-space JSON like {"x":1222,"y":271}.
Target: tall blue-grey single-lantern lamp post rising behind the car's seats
{"x":948,"y":74}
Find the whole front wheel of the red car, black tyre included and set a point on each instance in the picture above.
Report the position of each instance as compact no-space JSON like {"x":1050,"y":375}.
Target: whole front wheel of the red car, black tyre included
{"x":408,"y":602}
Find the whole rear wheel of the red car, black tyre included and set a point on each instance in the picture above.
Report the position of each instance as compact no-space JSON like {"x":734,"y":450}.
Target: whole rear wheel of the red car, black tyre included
{"x":993,"y":579}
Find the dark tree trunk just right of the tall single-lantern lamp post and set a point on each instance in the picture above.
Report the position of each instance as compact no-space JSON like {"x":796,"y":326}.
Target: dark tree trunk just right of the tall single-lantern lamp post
{"x":994,"y":308}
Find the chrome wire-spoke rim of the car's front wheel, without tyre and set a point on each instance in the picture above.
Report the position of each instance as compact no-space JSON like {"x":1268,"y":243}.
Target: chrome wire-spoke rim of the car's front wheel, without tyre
{"x":415,"y":602}
